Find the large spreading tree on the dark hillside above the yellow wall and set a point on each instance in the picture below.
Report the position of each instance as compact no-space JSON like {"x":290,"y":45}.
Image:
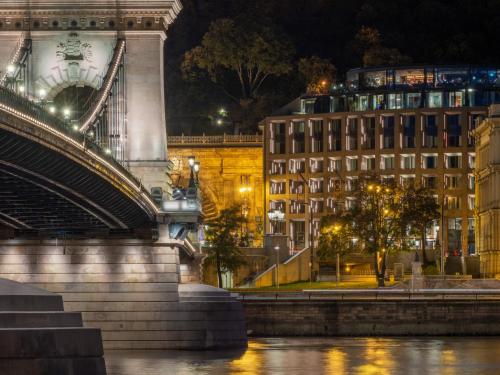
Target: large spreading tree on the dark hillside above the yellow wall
{"x":239,"y":56}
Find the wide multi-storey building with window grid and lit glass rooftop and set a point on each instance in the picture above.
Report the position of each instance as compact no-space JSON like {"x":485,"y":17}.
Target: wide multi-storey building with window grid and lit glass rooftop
{"x":409,"y":124}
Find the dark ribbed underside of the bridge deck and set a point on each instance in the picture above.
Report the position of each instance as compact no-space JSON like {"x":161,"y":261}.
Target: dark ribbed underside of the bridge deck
{"x":44,"y":192}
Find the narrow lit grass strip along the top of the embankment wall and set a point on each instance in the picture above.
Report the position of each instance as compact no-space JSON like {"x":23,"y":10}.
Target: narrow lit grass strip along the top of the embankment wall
{"x":317,"y":285}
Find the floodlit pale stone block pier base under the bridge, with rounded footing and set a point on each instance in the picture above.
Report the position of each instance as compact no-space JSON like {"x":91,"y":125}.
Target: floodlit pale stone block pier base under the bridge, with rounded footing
{"x":130,"y":290}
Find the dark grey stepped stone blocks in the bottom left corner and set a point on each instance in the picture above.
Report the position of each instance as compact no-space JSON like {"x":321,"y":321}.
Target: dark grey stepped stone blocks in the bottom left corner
{"x":38,"y":337}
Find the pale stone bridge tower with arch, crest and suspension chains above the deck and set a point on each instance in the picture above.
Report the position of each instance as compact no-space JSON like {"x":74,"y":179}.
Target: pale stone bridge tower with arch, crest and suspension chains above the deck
{"x":64,"y":54}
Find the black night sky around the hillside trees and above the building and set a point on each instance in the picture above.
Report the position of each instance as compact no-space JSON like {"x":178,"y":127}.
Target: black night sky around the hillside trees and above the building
{"x":427,"y":31}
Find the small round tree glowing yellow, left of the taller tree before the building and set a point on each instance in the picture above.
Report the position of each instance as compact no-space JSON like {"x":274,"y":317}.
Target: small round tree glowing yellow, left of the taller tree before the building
{"x":335,"y":237}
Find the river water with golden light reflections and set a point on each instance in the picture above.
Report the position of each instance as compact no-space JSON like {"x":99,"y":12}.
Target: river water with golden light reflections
{"x":363,"y":356}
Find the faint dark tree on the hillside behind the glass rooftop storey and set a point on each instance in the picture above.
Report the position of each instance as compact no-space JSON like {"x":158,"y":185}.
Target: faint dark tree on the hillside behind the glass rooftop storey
{"x":369,"y":44}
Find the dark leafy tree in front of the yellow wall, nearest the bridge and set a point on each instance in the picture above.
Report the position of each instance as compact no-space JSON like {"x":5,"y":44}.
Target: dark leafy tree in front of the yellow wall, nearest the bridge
{"x":222,"y":241}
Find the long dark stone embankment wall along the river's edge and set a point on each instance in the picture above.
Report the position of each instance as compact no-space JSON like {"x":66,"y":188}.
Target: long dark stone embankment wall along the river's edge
{"x":367,"y":318}
